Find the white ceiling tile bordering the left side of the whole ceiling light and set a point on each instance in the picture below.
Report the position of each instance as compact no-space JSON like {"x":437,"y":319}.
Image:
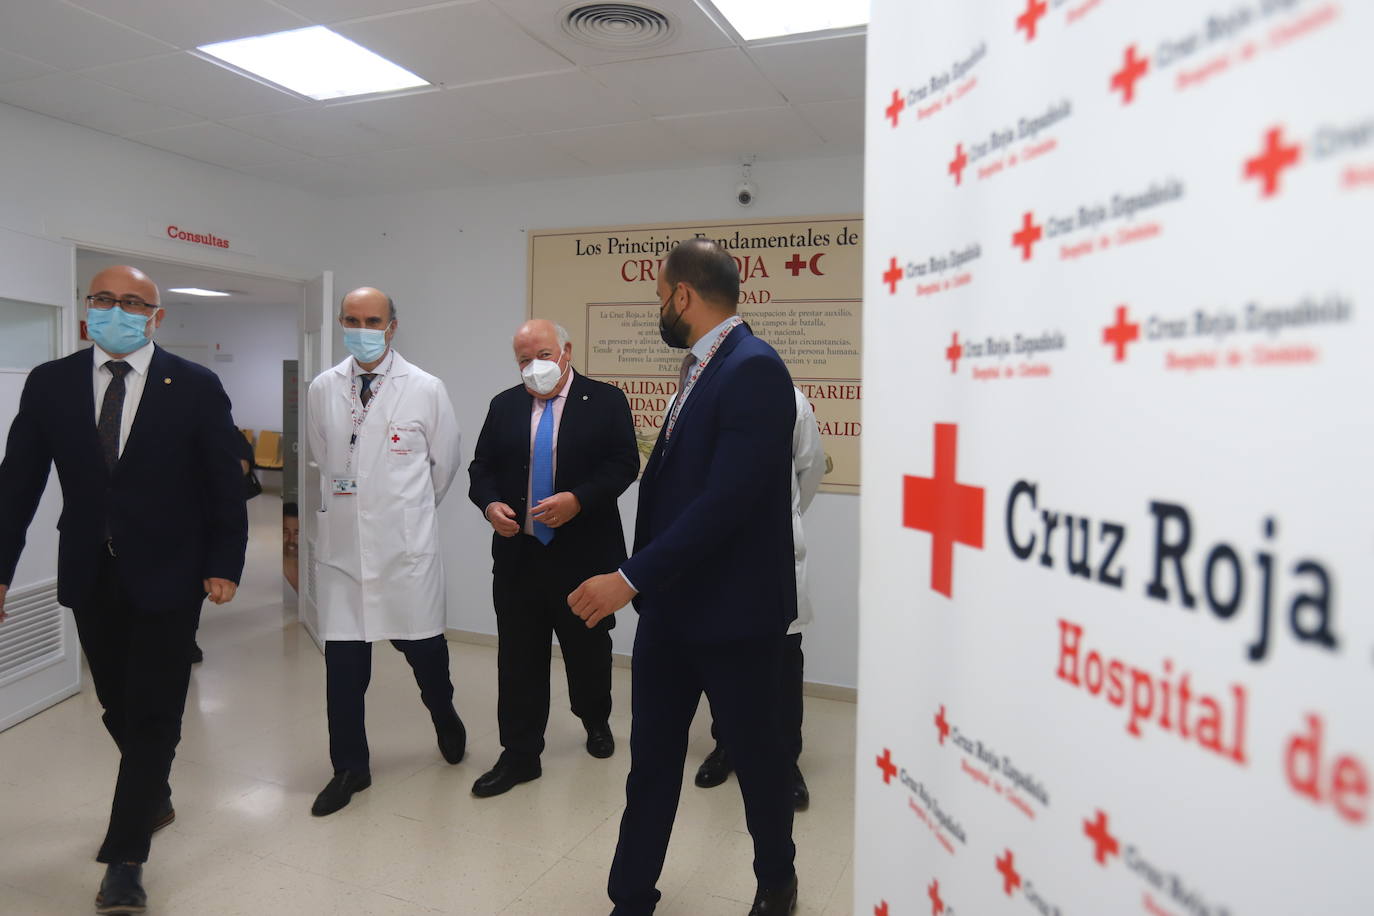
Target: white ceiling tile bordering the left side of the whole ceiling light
{"x":189,"y":83}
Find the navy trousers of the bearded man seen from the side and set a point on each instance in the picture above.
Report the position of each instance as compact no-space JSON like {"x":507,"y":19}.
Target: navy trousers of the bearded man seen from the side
{"x":741,"y":682}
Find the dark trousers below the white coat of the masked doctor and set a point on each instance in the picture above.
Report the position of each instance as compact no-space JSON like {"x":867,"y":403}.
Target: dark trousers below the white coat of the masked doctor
{"x":348,"y":671}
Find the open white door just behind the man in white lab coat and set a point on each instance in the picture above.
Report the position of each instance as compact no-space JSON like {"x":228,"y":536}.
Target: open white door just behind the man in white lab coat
{"x":317,"y":337}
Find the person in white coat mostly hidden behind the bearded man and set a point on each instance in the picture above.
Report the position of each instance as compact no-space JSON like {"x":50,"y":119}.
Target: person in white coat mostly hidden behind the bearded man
{"x":809,"y":466}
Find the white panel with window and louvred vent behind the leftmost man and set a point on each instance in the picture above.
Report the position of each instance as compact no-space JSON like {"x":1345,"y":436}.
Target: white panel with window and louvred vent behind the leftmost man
{"x":41,"y":657}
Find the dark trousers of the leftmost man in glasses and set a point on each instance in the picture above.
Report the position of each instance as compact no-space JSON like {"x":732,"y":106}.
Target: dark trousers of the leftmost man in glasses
{"x":141,"y":664}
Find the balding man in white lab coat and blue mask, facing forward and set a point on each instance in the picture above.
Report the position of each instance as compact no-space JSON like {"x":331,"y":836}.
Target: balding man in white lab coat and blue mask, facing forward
{"x":388,"y":446}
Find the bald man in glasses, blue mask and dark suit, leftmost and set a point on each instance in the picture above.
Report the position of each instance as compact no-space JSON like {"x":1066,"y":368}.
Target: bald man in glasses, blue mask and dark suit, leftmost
{"x":153,"y":523}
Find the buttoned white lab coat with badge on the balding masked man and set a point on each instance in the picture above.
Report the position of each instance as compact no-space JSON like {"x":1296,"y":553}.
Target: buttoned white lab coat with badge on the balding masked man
{"x":379,"y":566}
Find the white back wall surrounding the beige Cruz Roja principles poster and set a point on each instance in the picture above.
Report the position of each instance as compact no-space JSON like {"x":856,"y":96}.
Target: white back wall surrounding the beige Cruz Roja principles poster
{"x":457,"y":266}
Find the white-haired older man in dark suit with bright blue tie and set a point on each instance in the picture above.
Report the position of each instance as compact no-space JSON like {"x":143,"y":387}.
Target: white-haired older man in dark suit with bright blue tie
{"x":552,"y":462}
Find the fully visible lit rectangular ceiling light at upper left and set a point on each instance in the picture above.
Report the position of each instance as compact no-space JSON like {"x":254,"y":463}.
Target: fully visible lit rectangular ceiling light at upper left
{"x":315,"y":62}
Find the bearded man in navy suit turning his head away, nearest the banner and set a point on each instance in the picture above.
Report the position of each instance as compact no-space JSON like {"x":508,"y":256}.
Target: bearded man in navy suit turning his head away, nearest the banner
{"x":712,"y":580}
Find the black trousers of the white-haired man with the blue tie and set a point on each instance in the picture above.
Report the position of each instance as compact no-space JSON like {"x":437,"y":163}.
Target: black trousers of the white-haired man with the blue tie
{"x":531,"y":606}
